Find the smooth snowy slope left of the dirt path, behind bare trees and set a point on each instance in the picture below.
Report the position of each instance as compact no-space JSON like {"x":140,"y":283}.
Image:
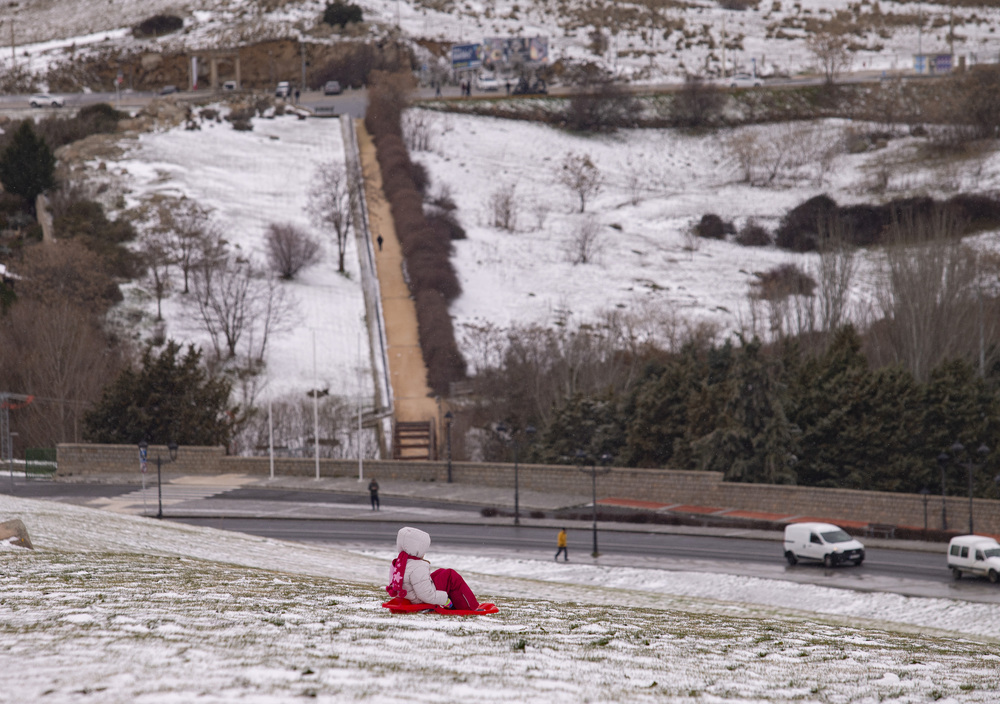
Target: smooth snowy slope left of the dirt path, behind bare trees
{"x":250,"y":180}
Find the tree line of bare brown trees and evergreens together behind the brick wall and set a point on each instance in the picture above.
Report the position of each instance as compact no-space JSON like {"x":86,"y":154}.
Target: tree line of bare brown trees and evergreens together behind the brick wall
{"x":759,"y":413}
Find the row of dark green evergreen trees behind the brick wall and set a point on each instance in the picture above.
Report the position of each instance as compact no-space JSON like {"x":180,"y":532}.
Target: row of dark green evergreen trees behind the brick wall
{"x":781,"y":416}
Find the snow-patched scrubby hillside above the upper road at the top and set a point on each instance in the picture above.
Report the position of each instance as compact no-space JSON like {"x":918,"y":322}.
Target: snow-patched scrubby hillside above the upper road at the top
{"x":642,"y":41}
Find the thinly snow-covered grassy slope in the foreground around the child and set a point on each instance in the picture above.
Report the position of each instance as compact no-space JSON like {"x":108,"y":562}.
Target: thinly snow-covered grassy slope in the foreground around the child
{"x":117,"y":608}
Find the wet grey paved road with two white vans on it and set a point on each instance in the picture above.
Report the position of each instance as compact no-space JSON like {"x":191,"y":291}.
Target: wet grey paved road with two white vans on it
{"x":344,"y":518}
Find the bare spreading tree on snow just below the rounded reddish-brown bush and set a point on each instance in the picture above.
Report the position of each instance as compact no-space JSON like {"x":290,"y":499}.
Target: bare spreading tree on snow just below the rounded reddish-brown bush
{"x":238,"y":304}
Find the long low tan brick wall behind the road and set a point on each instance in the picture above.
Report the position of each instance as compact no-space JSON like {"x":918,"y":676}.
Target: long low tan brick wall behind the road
{"x":656,"y":485}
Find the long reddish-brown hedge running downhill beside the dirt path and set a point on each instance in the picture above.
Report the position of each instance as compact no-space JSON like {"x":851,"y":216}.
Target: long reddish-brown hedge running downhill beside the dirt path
{"x":426,"y":247}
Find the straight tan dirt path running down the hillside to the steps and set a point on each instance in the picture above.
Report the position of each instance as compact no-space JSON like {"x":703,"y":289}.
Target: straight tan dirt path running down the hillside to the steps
{"x":407,"y":373}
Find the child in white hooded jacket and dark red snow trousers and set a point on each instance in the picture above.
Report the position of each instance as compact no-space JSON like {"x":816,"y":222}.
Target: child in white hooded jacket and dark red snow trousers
{"x":411,"y":575}
